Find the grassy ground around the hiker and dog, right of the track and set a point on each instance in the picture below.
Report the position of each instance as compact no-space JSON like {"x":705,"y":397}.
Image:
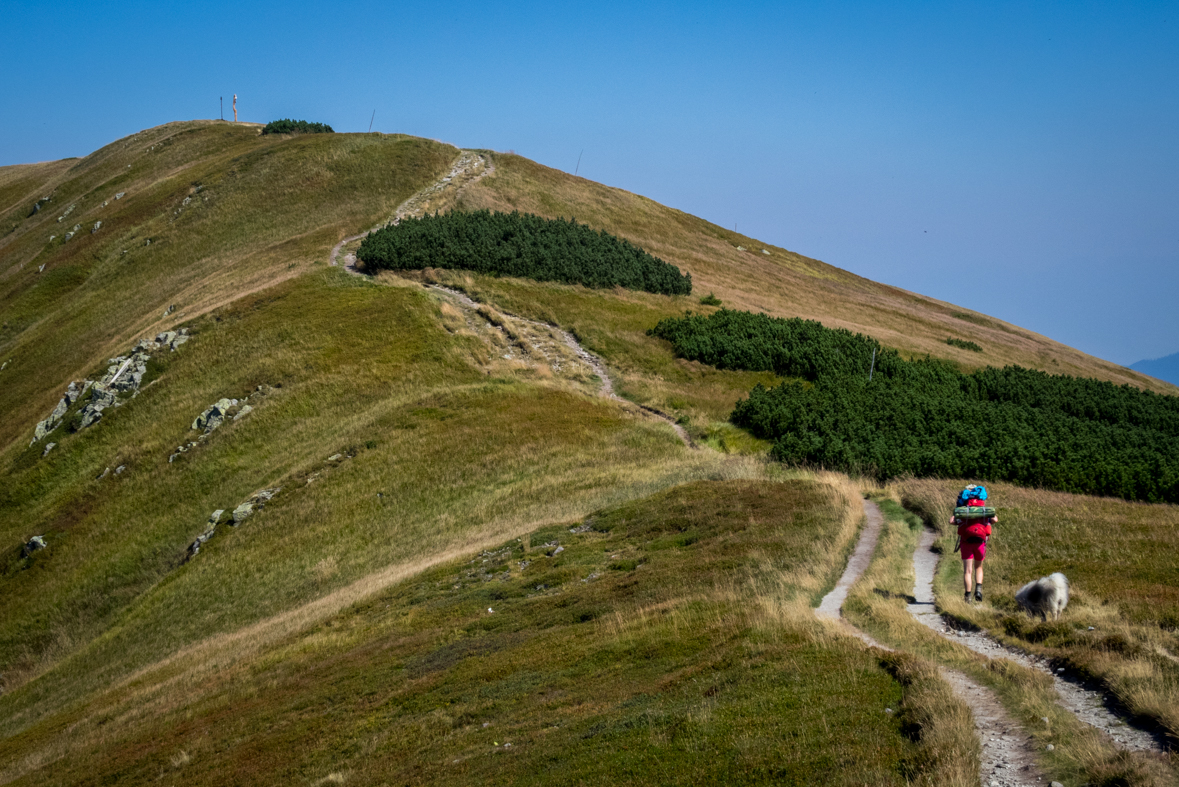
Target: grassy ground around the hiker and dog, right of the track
{"x":1123,"y":614}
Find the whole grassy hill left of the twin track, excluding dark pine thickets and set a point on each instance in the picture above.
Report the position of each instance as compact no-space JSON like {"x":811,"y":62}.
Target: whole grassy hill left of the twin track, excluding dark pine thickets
{"x":330,"y":526}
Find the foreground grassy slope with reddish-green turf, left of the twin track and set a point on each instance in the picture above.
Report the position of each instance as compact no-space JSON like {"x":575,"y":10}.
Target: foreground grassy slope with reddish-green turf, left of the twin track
{"x":641,"y":652}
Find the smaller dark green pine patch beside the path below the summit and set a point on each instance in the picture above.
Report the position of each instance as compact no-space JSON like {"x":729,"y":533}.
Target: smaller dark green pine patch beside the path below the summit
{"x":522,"y":246}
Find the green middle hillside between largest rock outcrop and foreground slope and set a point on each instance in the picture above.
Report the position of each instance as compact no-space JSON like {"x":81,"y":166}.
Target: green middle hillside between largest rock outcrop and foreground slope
{"x":458,"y":458}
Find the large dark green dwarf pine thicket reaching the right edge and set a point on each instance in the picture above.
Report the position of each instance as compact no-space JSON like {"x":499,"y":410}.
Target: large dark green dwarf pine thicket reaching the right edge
{"x":927,"y":419}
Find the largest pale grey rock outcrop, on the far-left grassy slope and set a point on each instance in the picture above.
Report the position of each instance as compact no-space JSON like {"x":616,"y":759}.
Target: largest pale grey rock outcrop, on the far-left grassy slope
{"x":121,"y":382}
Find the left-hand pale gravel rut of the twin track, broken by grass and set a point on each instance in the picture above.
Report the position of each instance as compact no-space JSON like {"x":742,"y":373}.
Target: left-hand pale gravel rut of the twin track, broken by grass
{"x":1007,"y":758}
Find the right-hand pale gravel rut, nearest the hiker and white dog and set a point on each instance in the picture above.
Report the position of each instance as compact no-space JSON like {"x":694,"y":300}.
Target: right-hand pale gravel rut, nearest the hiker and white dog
{"x":1094,"y":707}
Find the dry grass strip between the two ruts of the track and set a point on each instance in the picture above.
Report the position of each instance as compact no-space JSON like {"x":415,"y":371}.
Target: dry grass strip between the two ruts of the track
{"x":878,"y":605}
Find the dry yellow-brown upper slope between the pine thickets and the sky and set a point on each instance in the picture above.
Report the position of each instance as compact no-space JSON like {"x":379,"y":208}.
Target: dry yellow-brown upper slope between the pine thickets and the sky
{"x":785,"y":283}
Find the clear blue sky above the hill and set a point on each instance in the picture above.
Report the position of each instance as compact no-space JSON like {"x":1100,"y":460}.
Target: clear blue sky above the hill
{"x":1022,"y":160}
